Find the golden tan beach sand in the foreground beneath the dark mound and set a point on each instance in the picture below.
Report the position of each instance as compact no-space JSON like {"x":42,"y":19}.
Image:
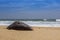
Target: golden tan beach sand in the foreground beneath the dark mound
{"x":36,"y":34}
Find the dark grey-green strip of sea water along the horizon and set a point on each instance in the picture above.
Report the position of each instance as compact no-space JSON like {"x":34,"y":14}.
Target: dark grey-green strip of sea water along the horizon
{"x":27,"y":20}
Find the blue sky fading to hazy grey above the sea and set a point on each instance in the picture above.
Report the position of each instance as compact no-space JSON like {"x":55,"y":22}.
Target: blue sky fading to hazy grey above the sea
{"x":29,"y":9}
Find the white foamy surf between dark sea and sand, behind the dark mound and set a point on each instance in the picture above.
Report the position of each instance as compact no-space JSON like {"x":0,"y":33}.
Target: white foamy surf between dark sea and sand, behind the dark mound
{"x":34,"y":23}
